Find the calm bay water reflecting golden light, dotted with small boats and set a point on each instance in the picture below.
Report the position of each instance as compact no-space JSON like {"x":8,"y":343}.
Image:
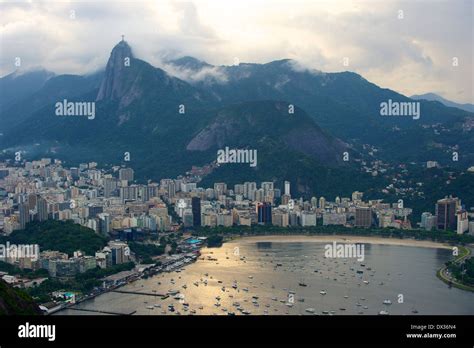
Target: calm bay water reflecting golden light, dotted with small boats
{"x":395,"y":270}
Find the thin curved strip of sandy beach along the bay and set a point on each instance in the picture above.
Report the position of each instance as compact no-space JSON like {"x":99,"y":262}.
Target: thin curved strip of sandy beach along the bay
{"x":343,"y":239}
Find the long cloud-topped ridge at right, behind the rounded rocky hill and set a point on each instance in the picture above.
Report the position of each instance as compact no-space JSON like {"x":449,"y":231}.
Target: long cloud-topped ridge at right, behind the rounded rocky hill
{"x":348,"y":106}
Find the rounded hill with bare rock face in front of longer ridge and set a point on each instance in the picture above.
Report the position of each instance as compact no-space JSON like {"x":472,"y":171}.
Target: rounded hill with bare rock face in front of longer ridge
{"x":250,"y":124}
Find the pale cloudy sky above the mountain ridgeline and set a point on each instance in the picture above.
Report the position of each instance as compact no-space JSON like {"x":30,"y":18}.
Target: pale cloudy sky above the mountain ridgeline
{"x":413,"y":47}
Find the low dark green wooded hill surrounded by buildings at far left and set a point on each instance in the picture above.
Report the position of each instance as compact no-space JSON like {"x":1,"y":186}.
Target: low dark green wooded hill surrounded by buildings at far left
{"x":64,"y":236}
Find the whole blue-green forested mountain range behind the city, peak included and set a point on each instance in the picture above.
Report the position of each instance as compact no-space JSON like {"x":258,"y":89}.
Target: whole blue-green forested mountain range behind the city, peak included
{"x":168,"y":124}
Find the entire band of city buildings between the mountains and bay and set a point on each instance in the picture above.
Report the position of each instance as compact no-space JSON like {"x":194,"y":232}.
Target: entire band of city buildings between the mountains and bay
{"x":112,"y":204}
